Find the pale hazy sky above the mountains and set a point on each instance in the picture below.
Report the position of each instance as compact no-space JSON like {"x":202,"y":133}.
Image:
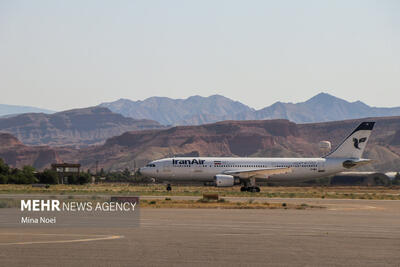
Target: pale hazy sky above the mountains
{"x":66,"y":54}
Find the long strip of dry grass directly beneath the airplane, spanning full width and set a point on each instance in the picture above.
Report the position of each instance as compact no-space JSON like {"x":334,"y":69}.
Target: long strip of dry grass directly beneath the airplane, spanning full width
{"x":345,"y":192}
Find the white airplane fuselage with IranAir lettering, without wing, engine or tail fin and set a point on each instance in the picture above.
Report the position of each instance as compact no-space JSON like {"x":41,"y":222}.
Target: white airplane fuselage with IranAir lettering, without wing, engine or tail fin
{"x":205,"y":168}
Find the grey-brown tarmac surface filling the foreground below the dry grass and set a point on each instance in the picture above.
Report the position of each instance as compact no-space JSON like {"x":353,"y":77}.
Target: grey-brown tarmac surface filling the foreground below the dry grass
{"x":345,"y":233}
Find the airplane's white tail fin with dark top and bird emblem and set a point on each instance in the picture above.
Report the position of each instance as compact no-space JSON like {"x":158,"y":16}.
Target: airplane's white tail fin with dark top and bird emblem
{"x":353,"y":146}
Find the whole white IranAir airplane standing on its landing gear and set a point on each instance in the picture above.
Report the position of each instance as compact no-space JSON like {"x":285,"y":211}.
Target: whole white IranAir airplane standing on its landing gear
{"x":224,"y":171}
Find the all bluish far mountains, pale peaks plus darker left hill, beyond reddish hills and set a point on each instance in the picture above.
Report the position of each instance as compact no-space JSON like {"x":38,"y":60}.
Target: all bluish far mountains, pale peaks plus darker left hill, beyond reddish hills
{"x":94,"y":125}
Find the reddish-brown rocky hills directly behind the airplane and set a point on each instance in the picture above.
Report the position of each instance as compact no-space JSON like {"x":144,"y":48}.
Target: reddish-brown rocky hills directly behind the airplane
{"x":267,"y":138}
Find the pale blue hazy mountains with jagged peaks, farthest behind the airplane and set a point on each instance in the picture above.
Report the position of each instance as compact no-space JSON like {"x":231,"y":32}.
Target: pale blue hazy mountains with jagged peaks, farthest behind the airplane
{"x":198,"y":110}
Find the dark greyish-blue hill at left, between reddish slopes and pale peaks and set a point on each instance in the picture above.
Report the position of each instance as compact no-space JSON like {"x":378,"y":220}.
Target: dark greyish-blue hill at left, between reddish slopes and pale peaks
{"x":78,"y":127}
